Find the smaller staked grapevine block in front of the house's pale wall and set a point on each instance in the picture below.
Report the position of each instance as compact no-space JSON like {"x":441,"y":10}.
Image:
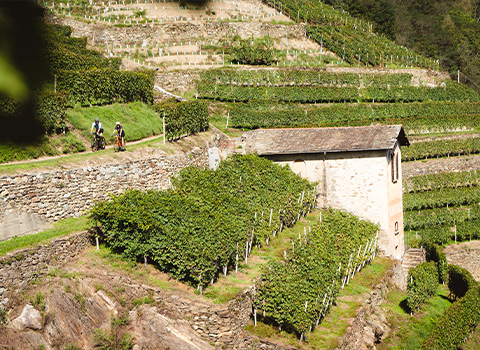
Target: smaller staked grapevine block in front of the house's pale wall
{"x":297,"y":292}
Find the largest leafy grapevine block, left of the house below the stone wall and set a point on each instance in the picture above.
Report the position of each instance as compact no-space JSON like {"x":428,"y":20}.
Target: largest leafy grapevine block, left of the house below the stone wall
{"x":211,"y":219}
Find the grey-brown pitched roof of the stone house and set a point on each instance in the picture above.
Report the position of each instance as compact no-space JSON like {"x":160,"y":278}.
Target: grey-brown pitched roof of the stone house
{"x":315,"y":140}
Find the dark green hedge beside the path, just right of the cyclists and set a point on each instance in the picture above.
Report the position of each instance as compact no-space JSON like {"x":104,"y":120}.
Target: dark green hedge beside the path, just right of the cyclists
{"x":184,"y":117}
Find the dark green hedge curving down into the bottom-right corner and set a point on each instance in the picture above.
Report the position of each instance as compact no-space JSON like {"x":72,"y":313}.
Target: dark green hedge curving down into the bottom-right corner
{"x":460,"y":319}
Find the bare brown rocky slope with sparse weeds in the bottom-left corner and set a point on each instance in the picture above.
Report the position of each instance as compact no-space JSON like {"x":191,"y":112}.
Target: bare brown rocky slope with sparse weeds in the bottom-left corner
{"x":95,"y":301}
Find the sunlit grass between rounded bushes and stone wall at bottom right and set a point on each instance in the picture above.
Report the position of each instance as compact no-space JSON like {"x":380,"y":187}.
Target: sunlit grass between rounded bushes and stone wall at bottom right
{"x":410,"y":331}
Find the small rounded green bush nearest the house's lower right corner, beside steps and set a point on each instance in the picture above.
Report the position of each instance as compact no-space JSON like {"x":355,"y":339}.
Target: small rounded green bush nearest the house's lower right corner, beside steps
{"x":422,"y":284}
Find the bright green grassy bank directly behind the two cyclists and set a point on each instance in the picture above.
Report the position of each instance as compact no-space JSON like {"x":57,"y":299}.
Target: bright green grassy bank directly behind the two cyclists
{"x":139,"y":120}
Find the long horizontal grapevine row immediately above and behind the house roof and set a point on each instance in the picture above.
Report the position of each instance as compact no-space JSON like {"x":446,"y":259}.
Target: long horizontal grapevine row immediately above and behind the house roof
{"x":415,"y":117}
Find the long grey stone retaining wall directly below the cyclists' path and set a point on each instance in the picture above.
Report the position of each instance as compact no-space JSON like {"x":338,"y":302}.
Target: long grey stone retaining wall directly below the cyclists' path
{"x":56,"y":195}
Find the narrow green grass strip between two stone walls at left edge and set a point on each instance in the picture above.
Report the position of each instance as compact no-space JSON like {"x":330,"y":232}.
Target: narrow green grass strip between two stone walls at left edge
{"x":59,"y":229}
